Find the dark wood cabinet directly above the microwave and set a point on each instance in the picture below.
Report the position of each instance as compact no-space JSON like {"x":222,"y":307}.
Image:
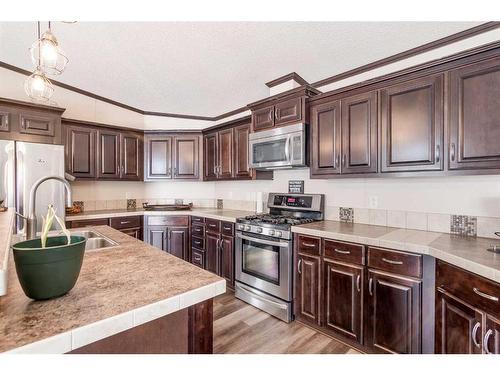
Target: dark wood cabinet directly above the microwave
{"x":282,"y":109}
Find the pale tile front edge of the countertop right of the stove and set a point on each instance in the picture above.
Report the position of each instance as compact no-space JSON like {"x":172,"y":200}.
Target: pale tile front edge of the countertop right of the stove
{"x":459,"y":261}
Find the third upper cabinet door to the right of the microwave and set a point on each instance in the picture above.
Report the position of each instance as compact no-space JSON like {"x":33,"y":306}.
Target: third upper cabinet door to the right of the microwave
{"x":412,"y":125}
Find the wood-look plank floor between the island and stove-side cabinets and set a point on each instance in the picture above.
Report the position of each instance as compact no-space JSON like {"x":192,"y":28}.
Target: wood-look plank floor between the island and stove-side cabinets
{"x":242,"y":328}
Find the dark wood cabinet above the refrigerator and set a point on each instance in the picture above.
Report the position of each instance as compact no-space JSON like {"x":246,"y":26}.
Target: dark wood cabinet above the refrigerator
{"x":28,"y":122}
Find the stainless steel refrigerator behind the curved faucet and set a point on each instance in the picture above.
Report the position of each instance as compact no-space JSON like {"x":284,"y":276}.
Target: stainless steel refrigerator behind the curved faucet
{"x":21,"y":165}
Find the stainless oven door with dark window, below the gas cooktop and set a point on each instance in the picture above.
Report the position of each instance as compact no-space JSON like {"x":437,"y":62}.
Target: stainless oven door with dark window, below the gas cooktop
{"x":264,"y":263}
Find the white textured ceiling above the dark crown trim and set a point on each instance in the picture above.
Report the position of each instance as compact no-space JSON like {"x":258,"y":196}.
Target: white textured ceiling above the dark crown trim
{"x":212,"y":67}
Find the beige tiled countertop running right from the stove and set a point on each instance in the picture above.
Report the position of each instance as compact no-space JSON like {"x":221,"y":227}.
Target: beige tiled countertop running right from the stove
{"x":468,"y":253}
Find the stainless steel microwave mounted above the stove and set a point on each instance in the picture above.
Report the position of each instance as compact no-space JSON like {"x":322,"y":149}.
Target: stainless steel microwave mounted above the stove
{"x":283,"y":147}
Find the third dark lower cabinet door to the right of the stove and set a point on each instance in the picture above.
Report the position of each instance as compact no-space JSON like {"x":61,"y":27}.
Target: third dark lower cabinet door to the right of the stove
{"x":394,"y":314}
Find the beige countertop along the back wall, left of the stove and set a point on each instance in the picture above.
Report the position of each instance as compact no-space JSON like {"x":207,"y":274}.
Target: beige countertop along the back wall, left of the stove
{"x":213,"y":213}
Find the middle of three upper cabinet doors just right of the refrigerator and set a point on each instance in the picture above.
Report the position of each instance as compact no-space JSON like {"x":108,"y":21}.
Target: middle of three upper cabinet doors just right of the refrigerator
{"x":108,"y":164}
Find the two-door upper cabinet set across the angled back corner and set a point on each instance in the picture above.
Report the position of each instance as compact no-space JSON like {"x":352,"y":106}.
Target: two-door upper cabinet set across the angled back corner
{"x":170,"y":156}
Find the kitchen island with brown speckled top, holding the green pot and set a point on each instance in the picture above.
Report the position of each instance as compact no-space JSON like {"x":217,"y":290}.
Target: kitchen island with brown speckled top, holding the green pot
{"x":129,"y":298}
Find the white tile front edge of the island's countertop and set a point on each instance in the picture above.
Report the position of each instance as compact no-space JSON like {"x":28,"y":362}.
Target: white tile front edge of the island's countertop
{"x":87,"y":334}
